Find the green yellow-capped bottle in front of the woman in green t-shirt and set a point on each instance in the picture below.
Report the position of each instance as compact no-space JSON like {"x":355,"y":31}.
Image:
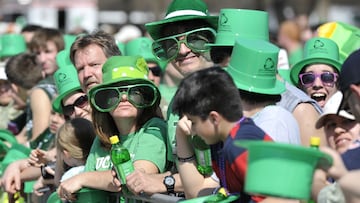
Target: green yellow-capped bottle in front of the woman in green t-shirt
{"x":121,"y":159}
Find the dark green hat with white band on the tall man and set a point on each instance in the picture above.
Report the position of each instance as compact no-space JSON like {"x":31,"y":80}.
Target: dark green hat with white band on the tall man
{"x":181,"y":10}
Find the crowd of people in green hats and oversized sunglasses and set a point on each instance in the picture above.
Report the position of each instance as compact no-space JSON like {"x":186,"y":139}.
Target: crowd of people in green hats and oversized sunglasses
{"x":194,"y":74}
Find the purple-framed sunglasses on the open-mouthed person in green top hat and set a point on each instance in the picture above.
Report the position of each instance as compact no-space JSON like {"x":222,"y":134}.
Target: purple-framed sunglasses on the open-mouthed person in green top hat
{"x":327,"y":78}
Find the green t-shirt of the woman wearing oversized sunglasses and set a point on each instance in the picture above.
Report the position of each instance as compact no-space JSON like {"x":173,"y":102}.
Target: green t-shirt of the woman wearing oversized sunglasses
{"x":149,"y":143}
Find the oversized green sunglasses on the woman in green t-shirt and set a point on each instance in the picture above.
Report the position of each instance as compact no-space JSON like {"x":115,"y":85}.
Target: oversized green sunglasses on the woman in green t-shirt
{"x":108,"y":98}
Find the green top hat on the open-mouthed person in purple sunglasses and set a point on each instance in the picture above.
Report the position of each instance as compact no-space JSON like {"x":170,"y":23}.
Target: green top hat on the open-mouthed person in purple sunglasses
{"x":317,"y":50}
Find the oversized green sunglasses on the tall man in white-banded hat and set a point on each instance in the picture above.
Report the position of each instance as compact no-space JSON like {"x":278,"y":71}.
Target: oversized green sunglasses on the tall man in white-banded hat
{"x":168,"y":48}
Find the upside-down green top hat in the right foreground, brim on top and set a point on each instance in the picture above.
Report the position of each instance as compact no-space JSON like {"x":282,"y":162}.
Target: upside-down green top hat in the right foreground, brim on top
{"x":281,"y":170}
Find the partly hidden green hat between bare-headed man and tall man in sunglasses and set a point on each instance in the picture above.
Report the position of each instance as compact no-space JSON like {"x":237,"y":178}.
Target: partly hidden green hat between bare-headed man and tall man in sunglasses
{"x":142,"y":46}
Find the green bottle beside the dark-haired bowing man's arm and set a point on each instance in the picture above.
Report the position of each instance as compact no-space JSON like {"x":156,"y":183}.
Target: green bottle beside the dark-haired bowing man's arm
{"x":203,"y":155}
